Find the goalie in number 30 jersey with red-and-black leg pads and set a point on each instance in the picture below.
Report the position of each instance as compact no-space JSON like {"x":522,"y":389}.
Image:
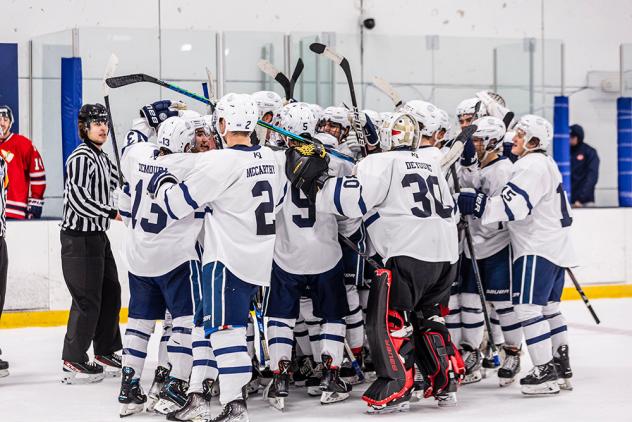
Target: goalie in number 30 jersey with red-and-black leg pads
{"x":410,"y":217}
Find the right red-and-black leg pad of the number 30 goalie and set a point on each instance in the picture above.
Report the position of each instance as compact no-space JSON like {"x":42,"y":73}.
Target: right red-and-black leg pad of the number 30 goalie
{"x":438,"y":359}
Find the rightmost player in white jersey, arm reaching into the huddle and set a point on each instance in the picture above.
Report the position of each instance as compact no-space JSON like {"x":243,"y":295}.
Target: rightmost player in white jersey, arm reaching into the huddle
{"x":535,"y":208}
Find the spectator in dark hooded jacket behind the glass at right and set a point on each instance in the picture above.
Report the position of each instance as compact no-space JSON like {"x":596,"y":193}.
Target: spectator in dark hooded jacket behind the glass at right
{"x":584,"y":169}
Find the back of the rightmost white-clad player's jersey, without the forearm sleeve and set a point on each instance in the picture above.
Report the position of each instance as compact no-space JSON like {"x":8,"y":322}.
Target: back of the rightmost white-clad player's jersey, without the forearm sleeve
{"x":546,"y":229}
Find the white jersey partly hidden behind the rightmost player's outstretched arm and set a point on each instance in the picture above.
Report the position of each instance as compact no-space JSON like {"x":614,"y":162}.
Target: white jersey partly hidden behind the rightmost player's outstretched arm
{"x":491,"y":238}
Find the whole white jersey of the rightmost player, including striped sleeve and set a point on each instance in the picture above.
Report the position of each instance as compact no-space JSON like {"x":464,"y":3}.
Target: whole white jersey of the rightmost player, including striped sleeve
{"x":536,"y":206}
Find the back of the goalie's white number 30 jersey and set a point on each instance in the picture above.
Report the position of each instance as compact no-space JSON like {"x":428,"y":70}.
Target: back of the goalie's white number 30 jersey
{"x":416,"y":216}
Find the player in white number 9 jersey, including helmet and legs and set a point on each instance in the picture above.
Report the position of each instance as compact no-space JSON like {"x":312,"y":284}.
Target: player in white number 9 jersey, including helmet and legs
{"x":296,"y":271}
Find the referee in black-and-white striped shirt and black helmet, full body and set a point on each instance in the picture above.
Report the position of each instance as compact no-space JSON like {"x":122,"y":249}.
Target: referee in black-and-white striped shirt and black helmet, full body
{"x":86,"y":258}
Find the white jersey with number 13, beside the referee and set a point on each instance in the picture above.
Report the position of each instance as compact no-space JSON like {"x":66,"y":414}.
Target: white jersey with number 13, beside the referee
{"x":154,"y":248}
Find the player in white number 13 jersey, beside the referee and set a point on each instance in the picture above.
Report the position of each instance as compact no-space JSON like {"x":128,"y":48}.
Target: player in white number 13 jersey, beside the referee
{"x":160,"y":275}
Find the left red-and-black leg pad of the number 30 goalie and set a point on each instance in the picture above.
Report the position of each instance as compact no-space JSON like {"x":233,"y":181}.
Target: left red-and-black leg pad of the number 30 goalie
{"x":390,"y":345}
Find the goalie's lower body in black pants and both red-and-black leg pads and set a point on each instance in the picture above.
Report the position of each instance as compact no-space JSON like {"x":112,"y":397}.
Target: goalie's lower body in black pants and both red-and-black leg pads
{"x":396,"y":343}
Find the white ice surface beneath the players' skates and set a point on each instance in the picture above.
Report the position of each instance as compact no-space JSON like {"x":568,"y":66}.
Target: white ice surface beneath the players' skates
{"x":600,"y":356}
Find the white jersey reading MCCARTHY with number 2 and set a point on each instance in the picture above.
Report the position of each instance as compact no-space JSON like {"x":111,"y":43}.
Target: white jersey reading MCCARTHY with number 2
{"x":243,"y":185}
